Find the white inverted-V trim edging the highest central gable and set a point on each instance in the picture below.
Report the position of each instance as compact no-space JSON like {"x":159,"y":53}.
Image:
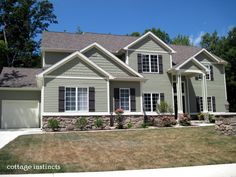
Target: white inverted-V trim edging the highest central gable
{"x":154,"y":37}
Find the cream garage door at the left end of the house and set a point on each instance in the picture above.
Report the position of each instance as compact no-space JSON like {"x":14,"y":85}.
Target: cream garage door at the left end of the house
{"x":20,"y":114}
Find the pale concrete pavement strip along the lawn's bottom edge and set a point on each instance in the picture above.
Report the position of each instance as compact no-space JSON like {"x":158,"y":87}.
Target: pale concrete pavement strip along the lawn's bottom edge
{"x":224,"y":170}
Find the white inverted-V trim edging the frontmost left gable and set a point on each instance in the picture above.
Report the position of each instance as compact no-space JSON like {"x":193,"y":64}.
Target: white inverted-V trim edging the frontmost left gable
{"x":69,"y":58}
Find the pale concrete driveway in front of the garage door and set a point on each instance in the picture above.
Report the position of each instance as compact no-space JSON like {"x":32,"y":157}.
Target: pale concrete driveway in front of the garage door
{"x":7,"y":135}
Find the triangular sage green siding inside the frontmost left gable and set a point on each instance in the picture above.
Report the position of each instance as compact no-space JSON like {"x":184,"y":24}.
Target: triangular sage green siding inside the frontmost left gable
{"x":76,"y":68}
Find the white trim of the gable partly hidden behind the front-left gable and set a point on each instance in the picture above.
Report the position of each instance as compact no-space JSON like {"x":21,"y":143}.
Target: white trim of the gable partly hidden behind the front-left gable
{"x":112,"y":56}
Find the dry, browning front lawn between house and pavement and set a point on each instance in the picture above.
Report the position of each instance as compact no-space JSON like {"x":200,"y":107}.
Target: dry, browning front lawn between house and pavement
{"x":120,"y":150}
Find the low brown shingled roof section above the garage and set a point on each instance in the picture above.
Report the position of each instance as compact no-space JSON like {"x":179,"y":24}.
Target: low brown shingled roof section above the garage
{"x":19,"y":77}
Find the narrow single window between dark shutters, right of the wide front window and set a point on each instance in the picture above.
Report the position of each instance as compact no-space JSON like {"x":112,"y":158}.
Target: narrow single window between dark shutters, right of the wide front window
{"x":125,"y":99}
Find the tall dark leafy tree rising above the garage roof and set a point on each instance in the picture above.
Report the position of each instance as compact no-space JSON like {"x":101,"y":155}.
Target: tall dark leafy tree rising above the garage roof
{"x":20,"y":23}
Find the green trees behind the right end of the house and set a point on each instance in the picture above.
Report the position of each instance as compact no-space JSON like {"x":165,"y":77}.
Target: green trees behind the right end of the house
{"x":224,"y":47}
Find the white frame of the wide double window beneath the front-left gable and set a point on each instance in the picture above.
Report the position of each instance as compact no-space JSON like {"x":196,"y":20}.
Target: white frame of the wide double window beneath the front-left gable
{"x":76,"y":100}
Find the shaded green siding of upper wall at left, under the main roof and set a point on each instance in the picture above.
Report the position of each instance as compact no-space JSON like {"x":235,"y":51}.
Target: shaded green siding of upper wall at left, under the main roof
{"x":53,"y":57}
